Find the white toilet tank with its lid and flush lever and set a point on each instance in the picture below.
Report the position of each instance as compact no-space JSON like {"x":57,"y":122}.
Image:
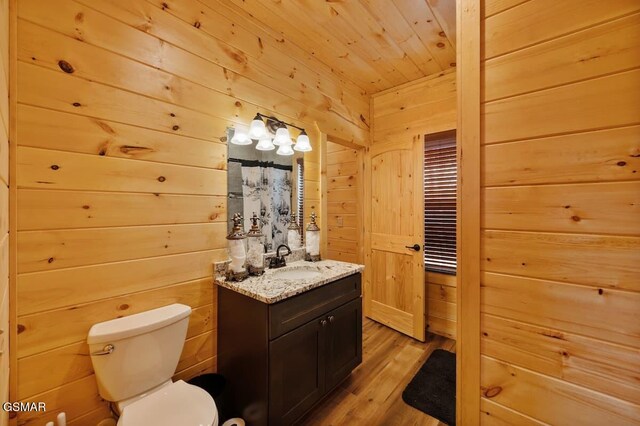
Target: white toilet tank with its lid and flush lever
{"x":146,"y":350}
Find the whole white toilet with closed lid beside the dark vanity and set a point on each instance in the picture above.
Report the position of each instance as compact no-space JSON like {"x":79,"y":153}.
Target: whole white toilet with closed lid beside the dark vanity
{"x":134,"y":358}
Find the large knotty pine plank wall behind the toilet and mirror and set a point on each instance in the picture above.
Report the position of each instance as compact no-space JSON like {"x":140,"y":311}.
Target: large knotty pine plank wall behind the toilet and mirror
{"x":122,"y":114}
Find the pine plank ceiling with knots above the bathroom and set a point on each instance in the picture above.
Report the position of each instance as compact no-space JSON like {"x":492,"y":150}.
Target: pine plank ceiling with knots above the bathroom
{"x":376,"y":44}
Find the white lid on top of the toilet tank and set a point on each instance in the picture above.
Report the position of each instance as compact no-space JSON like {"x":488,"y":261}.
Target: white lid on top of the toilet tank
{"x":133,"y":325}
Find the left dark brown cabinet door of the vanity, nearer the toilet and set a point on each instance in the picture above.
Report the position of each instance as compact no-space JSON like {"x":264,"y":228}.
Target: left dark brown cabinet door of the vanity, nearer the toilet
{"x":296,"y":371}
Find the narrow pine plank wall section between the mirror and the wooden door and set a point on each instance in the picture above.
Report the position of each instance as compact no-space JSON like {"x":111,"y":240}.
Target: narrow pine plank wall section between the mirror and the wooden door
{"x":344,"y":203}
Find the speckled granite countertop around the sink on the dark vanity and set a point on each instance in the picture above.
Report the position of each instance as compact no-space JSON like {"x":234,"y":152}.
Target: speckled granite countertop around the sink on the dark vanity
{"x":270,"y":290}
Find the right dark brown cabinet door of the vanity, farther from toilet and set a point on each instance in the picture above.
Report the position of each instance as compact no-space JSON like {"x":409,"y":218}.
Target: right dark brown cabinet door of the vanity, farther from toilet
{"x":344,"y":342}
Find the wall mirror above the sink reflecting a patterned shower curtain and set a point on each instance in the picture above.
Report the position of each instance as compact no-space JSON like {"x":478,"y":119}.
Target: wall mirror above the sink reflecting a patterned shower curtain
{"x":268,"y":184}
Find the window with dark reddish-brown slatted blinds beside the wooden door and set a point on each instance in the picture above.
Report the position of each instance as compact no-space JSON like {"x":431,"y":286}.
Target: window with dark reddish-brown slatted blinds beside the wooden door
{"x":440,"y":181}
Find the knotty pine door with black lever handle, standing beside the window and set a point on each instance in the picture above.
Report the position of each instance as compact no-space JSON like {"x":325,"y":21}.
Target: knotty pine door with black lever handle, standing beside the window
{"x":394,"y":273}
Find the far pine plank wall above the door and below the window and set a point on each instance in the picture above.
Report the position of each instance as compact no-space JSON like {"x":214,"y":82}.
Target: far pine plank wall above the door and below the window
{"x":412,"y":110}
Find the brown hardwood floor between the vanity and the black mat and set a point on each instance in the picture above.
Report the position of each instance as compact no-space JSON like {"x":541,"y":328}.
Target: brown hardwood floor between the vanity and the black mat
{"x":373,"y":394}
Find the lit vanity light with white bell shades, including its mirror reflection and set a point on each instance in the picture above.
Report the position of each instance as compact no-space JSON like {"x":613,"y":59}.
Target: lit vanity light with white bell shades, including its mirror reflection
{"x":260,"y":131}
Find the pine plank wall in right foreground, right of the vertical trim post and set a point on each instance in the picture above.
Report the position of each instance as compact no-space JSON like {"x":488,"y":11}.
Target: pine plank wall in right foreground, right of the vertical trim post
{"x":560,"y":264}
